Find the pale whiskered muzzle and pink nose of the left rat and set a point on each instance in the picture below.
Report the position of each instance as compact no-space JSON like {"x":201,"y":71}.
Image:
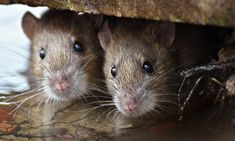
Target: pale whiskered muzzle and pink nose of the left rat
{"x":65,"y":86}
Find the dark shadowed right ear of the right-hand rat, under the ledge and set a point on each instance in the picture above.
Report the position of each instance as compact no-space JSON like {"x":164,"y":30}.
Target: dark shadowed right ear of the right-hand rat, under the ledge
{"x":163,"y":33}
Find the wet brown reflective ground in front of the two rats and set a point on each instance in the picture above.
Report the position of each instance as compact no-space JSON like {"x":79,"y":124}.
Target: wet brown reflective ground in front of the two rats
{"x":83,"y":122}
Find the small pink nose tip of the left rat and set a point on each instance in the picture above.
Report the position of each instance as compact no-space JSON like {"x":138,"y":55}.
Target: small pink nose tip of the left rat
{"x":61,"y":83}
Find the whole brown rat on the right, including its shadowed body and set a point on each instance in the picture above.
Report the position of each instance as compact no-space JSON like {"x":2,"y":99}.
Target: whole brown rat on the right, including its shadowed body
{"x":142,"y":59}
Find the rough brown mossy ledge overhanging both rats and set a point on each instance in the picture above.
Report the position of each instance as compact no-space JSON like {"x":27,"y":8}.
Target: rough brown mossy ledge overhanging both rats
{"x":213,"y":12}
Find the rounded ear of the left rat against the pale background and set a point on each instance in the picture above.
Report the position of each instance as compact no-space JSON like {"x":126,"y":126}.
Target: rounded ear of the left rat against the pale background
{"x":29,"y":24}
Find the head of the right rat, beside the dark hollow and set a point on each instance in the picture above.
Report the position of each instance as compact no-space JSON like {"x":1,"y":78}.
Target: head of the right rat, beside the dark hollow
{"x":137,"y":64}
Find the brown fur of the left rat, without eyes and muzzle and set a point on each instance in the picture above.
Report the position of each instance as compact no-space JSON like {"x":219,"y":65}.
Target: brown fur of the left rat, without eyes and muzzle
{"x":56,"y":31}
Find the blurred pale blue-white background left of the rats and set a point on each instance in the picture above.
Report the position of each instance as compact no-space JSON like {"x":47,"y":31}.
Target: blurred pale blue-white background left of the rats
{"x":14,"y":47}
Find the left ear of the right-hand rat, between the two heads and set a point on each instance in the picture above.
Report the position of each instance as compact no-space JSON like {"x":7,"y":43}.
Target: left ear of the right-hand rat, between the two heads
{"x":104,"y":36}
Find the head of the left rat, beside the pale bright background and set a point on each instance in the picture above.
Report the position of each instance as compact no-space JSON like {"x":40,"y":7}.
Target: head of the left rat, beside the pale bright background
{"x":65,"y":53}
